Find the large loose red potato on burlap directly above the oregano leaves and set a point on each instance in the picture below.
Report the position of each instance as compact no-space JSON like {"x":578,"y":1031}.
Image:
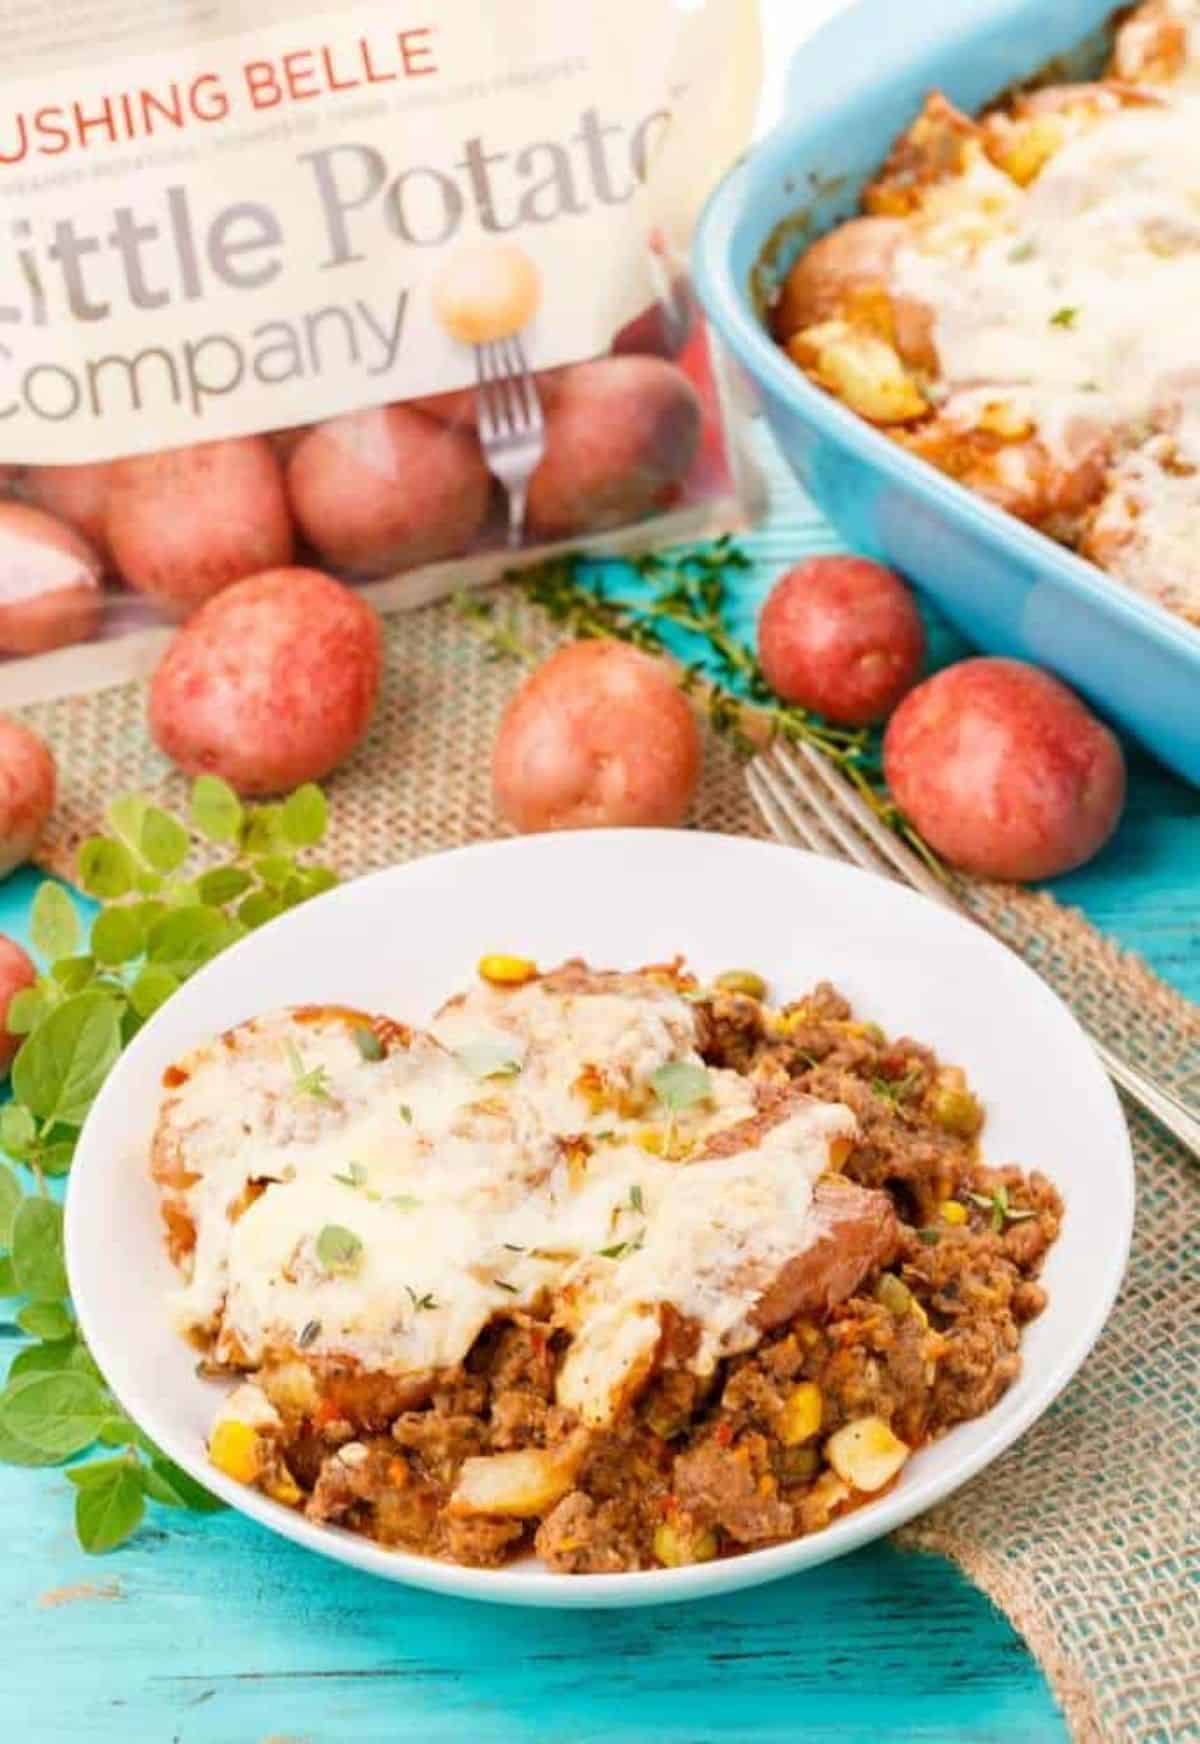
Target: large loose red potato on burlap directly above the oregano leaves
{"x":269,"y":685}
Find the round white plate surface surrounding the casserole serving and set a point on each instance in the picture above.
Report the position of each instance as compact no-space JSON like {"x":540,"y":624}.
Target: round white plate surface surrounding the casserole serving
{"x":404,"y":939}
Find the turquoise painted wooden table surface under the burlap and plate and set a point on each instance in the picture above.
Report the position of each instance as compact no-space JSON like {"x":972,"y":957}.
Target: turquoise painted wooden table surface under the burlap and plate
{"x":212,"y":1632}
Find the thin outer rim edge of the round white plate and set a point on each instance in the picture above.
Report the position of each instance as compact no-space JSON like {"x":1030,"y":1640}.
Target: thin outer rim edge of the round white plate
{"x":542,"y":1588}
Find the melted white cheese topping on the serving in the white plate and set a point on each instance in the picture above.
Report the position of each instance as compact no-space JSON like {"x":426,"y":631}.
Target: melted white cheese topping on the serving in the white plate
{"x":454,"y":1197}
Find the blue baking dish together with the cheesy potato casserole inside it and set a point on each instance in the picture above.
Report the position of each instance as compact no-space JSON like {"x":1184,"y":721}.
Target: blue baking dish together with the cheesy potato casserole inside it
{"x":964,"y":280}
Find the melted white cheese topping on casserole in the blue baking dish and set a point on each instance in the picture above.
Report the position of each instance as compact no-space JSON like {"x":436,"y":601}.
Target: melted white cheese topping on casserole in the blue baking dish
{"x":1075,"y":311}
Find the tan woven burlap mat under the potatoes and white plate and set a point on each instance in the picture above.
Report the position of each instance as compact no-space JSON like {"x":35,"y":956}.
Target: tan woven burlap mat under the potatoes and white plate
{"x":1087,"y":1534}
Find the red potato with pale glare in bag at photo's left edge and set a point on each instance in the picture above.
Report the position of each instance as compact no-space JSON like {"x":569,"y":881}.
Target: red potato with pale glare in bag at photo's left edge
{"x":50,"y":583}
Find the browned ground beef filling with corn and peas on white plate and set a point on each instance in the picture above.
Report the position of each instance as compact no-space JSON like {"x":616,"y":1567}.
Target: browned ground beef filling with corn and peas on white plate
{"x":712,"y":1468}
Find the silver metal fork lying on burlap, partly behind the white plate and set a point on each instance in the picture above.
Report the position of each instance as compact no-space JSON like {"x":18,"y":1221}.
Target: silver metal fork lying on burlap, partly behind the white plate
{"x":808,"y":805}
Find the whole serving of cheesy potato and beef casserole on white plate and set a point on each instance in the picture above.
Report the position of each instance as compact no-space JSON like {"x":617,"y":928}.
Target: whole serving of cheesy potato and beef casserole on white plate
{"x":610,"y":1265}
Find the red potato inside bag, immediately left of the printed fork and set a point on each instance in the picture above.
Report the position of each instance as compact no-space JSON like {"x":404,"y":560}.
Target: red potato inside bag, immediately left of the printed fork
{"x":390,"y":489}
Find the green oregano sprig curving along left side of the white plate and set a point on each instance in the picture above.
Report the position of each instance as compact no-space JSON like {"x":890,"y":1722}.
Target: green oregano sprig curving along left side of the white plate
{"x":161,"y":918}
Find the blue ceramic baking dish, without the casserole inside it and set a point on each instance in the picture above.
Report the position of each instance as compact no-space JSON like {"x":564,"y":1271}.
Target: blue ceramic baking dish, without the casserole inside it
{"x":1011,"y":590}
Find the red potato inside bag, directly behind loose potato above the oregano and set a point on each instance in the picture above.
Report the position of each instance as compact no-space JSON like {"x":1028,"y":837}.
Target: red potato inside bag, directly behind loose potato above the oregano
{"x":189,"y":522}
